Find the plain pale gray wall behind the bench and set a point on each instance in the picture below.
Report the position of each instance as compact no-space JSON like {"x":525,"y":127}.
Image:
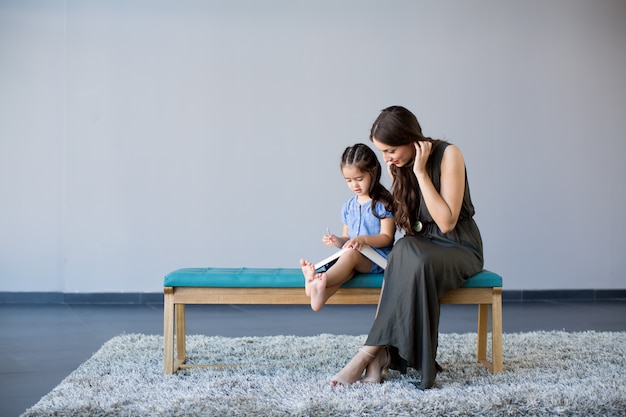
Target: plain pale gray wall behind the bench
{"x":138,"y":137}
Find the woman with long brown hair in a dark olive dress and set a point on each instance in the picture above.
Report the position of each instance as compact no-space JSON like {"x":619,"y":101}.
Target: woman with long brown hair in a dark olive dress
{"x":441,"y":248}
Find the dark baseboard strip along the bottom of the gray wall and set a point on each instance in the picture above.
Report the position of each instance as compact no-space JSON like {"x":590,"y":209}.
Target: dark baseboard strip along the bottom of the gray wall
{"x":157,"y":298}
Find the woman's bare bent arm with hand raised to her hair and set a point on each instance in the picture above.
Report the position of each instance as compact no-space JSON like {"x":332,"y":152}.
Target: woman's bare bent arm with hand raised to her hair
{"x":444,"y":206}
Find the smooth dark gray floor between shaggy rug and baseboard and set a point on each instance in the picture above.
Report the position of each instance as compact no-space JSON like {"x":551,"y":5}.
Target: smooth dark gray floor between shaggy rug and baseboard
{"x":40,"y":344}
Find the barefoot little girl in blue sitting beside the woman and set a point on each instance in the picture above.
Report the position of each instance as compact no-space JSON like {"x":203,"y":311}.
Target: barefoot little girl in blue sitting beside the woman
{"x":367,"y":220}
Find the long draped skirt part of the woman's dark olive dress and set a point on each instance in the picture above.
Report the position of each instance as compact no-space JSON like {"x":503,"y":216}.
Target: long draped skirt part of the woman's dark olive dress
{"x":418,"y":273}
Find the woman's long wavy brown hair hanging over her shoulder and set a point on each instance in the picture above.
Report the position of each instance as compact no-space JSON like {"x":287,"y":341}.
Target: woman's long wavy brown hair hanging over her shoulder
{"x":397,"y":126}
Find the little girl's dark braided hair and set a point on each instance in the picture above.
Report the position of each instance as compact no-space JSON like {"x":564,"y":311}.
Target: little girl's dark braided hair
{"x":364,"y":159}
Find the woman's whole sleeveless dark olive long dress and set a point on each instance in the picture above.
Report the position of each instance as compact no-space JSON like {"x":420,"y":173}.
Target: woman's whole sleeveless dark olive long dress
{"x":420,"y":270}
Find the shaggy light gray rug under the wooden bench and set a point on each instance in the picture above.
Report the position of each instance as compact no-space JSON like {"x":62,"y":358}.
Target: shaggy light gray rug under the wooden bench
{"x":545,"y":373}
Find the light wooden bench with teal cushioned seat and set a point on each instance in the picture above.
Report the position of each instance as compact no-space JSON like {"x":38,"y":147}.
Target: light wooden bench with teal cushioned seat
{"x":286,"y":286}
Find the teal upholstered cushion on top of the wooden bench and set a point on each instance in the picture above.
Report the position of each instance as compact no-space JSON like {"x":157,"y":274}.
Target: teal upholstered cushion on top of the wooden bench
{"x":287,"y":278}
